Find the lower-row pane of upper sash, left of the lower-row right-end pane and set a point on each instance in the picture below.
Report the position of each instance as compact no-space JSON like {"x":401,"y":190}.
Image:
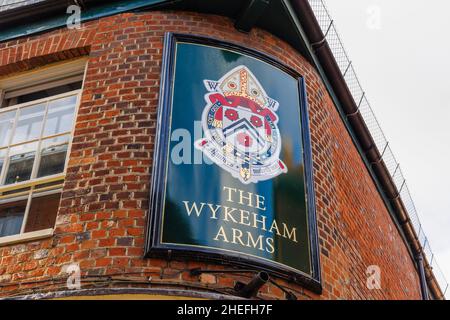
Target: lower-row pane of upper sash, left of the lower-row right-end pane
{"x":21,"y":159}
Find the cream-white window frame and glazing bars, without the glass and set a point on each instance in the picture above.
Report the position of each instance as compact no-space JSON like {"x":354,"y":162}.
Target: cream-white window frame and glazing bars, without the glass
{"x":46,"y":77}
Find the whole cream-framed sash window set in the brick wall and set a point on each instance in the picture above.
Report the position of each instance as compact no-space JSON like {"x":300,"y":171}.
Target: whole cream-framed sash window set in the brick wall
{"x":37,"y":113}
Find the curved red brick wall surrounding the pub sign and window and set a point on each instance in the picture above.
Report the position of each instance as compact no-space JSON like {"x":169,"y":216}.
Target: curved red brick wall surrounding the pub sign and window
{"x":101,"y":220}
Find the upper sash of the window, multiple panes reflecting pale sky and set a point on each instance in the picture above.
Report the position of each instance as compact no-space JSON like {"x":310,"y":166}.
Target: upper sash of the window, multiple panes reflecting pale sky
{"x":34,"y":123}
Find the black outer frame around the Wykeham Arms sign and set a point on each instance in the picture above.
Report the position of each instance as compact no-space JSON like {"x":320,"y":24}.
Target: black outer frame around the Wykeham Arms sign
{"x":153,"y":246}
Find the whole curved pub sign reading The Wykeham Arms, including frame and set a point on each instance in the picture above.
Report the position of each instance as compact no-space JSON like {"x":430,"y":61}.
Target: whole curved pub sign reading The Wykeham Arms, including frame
{"x":232,"y":175}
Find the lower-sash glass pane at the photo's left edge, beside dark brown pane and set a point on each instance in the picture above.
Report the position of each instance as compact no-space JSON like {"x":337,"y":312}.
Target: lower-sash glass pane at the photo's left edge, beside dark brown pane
{"x":11,"y":217}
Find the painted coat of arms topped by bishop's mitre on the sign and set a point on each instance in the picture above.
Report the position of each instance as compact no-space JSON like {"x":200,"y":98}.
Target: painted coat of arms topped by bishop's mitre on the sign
{"x":240,"y":127}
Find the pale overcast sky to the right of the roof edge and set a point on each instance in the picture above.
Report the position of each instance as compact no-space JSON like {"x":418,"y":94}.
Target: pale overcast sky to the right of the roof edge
{"x":403,"y":62}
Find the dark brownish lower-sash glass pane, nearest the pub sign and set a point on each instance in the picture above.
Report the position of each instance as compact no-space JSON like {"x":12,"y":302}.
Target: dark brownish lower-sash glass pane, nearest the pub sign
{"x":43,"y":212}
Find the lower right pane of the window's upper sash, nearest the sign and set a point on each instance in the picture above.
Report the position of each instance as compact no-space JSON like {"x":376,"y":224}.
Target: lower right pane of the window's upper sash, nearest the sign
{"x":53,"y":156}
